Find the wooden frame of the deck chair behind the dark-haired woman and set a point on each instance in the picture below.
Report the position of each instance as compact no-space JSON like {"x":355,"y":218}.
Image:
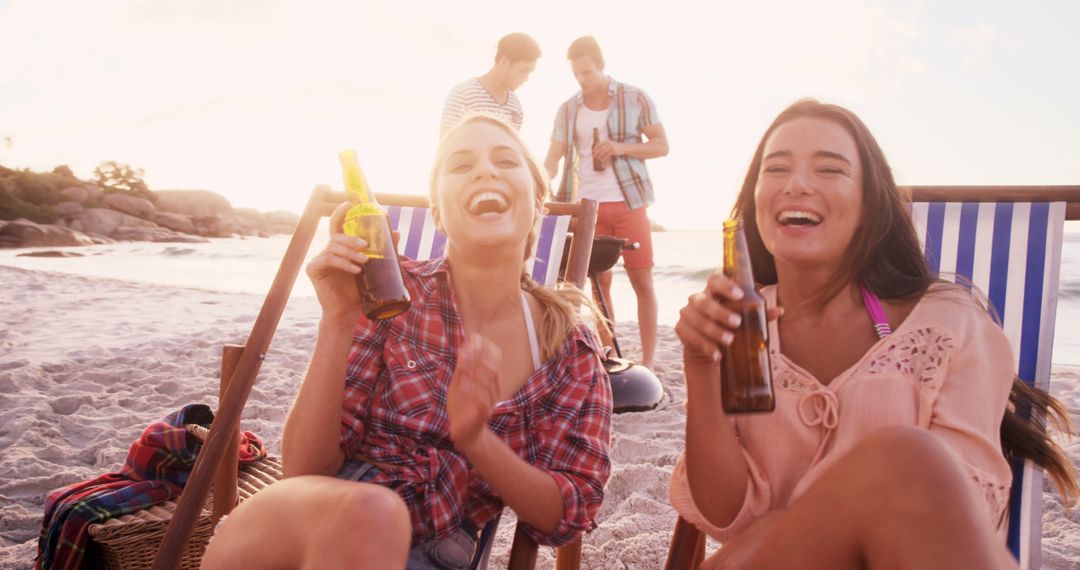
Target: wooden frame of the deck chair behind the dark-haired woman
{"x":687,"y":549}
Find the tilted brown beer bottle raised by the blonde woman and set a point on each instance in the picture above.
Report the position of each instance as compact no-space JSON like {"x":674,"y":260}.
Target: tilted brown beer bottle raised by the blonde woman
{"x":383,"y":292}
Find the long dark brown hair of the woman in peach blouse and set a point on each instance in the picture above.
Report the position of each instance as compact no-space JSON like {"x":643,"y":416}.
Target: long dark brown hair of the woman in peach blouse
{"x":886,"y":257}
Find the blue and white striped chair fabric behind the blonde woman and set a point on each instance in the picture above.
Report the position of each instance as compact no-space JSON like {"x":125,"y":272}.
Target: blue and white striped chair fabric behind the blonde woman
{"x":421,"y":240}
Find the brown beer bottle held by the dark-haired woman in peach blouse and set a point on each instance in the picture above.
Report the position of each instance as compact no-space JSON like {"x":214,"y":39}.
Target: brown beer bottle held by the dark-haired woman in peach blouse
{"x":746,"y":373}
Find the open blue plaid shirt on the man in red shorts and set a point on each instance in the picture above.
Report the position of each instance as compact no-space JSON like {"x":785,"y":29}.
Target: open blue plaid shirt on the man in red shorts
{"x":633,"y":112}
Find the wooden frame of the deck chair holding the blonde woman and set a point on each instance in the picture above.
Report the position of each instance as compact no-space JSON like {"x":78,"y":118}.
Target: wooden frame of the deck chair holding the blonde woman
{"x":240,"y":367}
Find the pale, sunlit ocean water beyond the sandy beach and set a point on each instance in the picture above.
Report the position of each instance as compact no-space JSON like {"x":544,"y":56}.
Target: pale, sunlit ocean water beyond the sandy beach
{"x":684,"y":261}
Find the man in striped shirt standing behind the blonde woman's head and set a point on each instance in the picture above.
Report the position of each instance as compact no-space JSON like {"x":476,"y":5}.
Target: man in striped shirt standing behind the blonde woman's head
{"x":493,"y":93}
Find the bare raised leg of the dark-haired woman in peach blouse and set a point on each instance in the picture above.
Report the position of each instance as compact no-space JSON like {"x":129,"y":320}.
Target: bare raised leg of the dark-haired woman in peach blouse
{"x":900,"y":500}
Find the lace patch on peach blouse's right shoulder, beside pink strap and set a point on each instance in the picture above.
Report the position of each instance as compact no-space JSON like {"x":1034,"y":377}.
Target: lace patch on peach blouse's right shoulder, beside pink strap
{"x":922,"y":354}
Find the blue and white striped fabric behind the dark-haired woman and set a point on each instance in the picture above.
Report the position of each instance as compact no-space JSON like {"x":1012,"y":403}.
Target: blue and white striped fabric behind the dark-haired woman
{"x":1012,"y":252}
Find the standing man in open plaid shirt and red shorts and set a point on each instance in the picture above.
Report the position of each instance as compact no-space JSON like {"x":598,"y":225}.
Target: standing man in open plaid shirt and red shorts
{"x":604,"y":134}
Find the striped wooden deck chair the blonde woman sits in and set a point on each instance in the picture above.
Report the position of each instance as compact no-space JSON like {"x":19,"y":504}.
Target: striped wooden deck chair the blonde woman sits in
{"x":418,"y":240}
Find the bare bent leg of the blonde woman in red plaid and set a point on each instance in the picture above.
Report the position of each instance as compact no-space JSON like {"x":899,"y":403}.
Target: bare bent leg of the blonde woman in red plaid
{"x":313,"y":522}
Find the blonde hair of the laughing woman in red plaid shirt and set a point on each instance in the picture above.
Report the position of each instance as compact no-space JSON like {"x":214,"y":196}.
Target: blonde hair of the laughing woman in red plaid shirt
{"x":560,"y":306}
